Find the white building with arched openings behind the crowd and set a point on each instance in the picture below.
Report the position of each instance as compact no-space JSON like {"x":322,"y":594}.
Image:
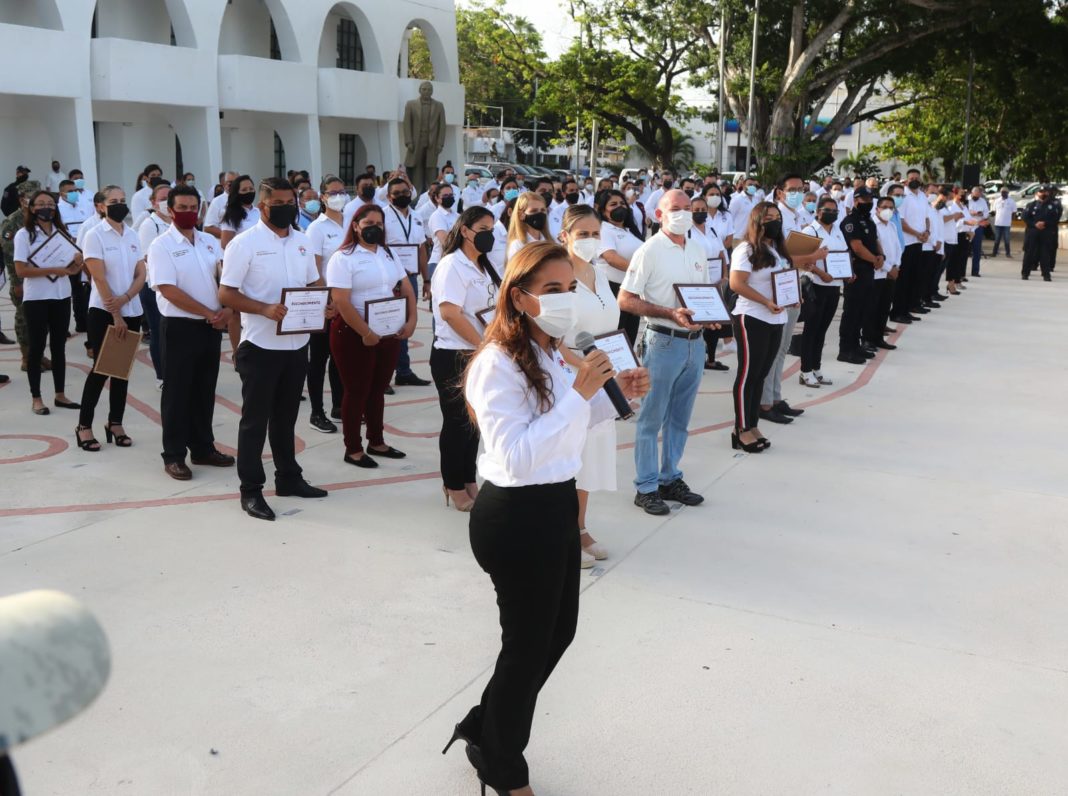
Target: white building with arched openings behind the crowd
{"x":256,"y":86}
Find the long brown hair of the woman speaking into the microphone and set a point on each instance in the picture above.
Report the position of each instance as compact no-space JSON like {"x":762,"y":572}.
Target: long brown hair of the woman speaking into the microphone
{"x":511,"y":330}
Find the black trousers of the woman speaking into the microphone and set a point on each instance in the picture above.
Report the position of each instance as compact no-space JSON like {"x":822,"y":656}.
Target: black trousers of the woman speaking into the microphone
{"x":527,"y":540}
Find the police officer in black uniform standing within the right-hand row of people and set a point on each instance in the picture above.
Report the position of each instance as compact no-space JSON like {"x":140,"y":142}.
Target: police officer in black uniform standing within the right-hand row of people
{"x":863,"y":242}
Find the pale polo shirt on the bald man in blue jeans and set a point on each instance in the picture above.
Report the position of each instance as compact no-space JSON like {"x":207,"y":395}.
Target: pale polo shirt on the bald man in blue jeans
{"x":661,"y":264}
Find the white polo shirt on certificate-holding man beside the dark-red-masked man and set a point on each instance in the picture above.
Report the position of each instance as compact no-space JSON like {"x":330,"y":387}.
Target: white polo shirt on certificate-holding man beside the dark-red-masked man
{"x":260,"y":263}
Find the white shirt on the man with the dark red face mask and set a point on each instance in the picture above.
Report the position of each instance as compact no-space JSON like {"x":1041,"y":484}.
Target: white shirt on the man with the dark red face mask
{"x":191,"y":268}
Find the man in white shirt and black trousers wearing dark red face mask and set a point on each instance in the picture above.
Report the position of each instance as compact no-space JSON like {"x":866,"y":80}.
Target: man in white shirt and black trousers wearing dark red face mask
{"x":183,"y":264}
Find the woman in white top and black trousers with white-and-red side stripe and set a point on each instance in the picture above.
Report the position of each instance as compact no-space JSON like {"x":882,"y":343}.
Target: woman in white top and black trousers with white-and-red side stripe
{"x":758,"y":320}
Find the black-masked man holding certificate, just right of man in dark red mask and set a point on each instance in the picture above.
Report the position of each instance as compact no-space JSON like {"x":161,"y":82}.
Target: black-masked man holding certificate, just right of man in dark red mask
{"x":258,"y":266}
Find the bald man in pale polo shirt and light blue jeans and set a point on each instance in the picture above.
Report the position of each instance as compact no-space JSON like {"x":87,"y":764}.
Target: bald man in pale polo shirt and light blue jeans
{"x":674,"y":352}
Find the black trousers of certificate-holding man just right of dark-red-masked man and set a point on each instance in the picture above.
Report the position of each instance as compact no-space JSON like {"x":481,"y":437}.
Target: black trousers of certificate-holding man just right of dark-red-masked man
{"x":272,"y":382}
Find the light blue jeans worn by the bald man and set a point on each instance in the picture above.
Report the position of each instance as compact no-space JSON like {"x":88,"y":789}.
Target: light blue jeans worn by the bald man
{"x":676,"y":367}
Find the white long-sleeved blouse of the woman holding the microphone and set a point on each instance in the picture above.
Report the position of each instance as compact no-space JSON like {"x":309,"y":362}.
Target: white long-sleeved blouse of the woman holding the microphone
{"x":525,"y":446}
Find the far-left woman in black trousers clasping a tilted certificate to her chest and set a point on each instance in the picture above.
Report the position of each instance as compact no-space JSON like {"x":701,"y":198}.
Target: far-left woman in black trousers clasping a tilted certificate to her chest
{"x":46,"y":299}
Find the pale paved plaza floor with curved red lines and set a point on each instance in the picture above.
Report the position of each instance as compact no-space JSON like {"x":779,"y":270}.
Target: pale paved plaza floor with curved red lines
{"x":877,"y":605}
